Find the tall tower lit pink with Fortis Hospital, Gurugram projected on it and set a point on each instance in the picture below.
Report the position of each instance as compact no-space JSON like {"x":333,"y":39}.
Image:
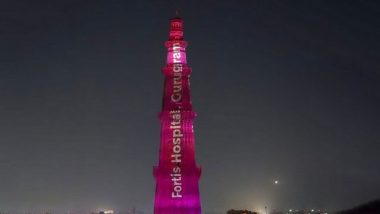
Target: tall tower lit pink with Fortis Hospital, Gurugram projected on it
{"x":177,"y":174}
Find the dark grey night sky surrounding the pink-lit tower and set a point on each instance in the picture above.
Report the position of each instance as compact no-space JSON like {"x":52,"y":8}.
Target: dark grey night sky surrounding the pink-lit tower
{"x":285,"y":90}
